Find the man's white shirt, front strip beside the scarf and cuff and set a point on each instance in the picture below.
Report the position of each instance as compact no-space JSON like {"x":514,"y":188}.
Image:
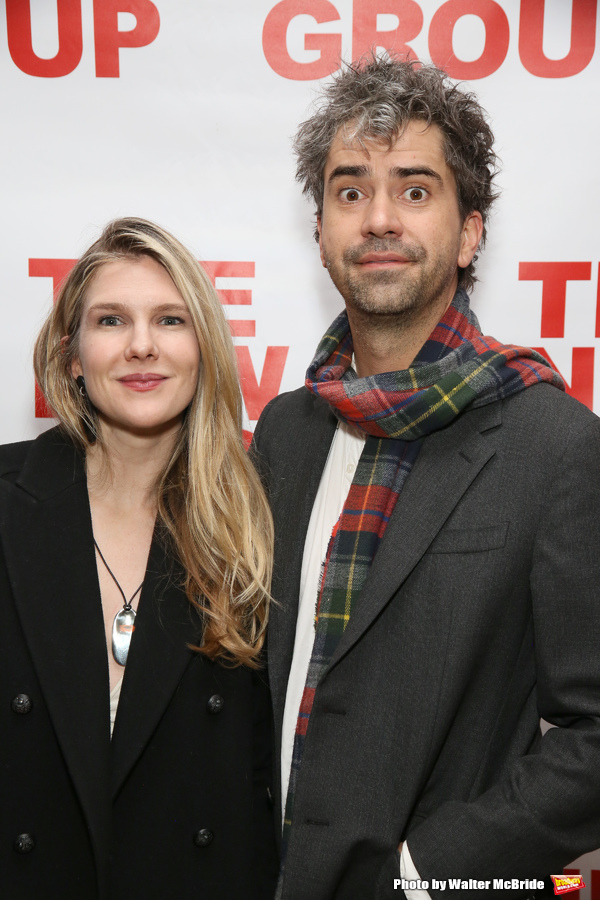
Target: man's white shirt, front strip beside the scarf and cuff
{"x":338,"y":474}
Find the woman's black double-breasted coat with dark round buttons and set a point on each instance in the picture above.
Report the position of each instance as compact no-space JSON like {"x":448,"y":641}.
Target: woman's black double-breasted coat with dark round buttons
{"x":176,"y":805}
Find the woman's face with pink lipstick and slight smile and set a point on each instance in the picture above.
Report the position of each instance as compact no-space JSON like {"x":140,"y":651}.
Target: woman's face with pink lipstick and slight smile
{"x":138,"y":350}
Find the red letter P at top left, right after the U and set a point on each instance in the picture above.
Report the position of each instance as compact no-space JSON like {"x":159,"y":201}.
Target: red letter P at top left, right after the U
{"x":108,"y":38}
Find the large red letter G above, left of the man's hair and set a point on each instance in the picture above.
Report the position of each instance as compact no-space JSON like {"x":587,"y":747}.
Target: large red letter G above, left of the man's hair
{"x":275,"y":40}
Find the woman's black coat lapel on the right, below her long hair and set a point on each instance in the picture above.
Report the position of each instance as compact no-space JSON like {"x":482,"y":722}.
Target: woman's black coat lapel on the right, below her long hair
{"x":165,"y":624}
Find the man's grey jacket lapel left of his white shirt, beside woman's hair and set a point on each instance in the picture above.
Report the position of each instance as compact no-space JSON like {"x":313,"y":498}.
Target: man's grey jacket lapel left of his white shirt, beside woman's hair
{"x":292,"y":507}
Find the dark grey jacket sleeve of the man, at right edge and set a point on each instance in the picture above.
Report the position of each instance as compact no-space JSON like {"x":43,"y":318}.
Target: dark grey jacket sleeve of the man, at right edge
{"x":545,"y":809}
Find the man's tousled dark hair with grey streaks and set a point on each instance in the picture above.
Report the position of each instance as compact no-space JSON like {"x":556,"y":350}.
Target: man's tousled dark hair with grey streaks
{"x":374,"y":99}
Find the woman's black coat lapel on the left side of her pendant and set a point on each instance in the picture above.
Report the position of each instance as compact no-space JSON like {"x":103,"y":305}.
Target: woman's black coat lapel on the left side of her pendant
{"x":47,"y":538}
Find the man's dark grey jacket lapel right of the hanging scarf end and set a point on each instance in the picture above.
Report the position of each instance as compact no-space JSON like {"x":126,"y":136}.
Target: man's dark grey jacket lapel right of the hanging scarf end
{"x":448,"y":462}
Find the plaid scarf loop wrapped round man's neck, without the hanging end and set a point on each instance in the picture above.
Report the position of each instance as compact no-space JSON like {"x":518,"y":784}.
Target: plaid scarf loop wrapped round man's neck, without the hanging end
{"x":472,"y":369}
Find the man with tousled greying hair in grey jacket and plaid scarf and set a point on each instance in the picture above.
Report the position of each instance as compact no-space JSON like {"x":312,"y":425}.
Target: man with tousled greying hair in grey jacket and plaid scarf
{"x":436,"y":496}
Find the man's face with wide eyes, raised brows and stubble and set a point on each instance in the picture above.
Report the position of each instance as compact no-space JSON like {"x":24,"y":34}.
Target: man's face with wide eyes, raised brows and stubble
{"x":391,"y":234}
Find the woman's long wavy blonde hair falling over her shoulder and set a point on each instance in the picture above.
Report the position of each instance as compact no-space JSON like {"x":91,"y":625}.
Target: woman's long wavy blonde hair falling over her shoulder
{"x":210,"y":501}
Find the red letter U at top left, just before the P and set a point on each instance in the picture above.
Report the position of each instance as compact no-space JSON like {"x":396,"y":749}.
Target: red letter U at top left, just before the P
{"x":20,"y":45}
